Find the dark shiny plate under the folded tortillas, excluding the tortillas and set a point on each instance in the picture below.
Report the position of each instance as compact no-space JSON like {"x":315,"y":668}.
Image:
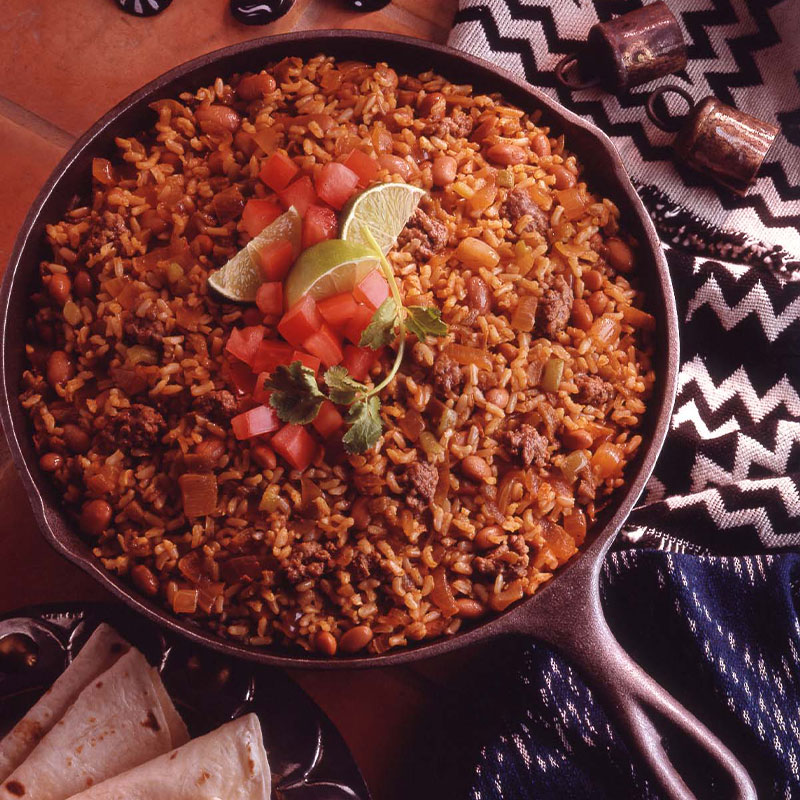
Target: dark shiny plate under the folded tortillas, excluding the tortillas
{"x":308,"y":758}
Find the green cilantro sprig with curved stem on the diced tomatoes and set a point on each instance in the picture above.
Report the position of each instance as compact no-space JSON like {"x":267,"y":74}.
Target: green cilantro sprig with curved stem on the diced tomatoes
{"x":297,"y":398}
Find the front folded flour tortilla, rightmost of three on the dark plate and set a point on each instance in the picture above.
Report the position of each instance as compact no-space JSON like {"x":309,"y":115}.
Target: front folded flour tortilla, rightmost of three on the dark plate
{"x":228,"y":763}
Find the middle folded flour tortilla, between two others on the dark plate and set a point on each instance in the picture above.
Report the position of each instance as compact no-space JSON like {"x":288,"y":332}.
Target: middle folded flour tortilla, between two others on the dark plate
{"x":122,"y":719}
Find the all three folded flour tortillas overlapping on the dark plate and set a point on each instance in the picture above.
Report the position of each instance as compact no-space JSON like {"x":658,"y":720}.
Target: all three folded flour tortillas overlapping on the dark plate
{"x":107,"y":730}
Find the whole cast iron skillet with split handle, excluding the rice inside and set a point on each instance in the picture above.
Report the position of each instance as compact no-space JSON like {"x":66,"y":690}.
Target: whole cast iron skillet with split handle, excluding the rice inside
{"x":566,"y":612}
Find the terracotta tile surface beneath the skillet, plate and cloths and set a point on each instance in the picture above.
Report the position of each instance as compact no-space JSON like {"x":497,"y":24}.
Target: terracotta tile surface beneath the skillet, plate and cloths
{"x":64,"y":64}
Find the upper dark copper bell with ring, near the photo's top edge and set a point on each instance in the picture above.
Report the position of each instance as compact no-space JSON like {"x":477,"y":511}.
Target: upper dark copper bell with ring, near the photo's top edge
{"x":627,"y":51}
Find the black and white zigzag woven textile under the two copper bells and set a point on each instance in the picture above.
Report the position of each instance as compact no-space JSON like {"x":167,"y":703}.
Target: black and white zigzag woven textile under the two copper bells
{"x":728,"y":480}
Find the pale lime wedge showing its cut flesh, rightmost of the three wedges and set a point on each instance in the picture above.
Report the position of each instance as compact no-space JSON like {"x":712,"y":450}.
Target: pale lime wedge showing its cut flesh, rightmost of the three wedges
{"x":385,"y":209}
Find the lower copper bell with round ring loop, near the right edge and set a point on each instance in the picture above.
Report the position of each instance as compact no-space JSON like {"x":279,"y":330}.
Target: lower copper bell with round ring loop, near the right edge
{"x":716,"y":139}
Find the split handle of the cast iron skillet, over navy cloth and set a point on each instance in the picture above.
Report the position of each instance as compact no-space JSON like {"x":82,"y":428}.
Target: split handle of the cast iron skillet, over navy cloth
{"x":569,"y":616}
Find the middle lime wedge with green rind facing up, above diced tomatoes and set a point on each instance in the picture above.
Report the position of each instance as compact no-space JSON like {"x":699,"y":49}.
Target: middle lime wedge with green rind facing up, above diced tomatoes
{"x":328,"y":268}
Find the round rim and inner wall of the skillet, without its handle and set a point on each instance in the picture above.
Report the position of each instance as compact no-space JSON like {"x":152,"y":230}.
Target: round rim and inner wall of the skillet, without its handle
{"x":603,"y":169}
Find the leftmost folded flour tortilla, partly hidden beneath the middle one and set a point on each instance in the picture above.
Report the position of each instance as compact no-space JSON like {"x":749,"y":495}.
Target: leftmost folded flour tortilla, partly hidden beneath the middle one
{"x":103,"y":648}
